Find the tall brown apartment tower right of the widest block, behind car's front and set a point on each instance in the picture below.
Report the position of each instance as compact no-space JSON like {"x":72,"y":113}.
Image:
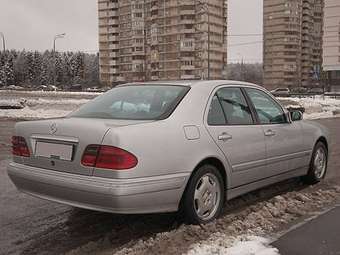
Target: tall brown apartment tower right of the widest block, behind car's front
{"x":292,"y":52}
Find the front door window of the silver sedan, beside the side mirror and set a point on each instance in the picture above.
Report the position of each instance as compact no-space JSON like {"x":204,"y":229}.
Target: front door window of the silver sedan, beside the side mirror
{"x":268,"y":110}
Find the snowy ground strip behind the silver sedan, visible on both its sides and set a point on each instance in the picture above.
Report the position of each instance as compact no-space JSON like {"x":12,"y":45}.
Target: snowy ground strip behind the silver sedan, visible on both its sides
{"x":42,"y":104}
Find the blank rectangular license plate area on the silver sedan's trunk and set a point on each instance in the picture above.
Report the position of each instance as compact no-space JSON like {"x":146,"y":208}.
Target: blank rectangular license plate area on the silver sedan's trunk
{"x":54,"y":150}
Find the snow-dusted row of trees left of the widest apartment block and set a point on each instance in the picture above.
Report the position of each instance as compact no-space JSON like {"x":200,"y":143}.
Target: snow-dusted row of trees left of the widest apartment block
{"x":27,"y":68}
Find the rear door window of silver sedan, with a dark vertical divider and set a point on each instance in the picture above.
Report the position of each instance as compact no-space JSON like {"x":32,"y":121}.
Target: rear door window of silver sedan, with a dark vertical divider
{"x":229,"y":107}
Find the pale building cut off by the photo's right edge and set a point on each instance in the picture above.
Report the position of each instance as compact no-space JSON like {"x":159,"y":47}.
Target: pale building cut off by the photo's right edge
{"x":331,"y":43}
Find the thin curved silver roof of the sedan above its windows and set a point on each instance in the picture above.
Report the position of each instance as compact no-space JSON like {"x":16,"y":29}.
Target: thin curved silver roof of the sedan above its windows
{"x":195,"y":83}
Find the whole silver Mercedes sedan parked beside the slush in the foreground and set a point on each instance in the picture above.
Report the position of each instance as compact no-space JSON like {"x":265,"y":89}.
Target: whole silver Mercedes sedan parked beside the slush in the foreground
{"x":167,"y":146}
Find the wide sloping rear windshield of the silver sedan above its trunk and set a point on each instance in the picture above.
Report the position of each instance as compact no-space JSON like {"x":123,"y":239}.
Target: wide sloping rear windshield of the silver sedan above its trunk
{"x":137,"y":102}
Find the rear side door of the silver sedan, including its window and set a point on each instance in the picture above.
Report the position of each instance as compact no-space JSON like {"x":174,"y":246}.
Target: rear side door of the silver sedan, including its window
{"x":231,"y":124}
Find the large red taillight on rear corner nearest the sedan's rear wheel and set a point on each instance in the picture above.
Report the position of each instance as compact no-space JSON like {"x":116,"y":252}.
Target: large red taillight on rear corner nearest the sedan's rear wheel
{"x":108,"y":157}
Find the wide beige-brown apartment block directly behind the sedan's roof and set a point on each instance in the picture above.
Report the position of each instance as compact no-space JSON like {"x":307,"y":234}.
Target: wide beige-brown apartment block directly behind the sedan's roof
{"x":141,"y":40}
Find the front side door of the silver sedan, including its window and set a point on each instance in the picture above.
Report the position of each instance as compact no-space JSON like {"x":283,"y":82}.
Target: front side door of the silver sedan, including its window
{"x":284,"y":140}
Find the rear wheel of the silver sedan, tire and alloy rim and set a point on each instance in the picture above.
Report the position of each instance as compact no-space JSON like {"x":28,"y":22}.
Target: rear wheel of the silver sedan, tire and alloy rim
{"x":204,"y":196}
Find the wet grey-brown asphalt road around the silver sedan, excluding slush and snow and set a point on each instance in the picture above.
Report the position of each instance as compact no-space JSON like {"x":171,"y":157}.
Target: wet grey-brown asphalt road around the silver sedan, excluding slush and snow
{"x":32,"y":226}
